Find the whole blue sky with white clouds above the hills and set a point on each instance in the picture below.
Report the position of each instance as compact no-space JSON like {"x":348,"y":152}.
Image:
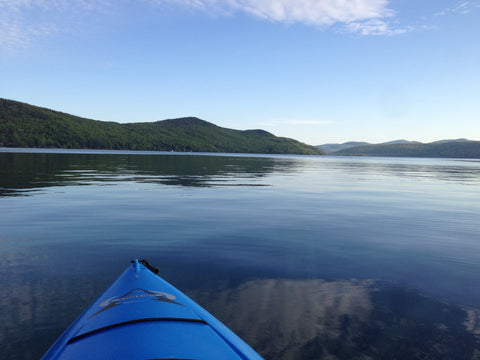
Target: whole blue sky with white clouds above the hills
{"x":318,"y":71}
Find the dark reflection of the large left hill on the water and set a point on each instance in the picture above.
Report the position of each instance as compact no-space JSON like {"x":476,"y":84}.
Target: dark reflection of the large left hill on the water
{"x":26,"y":172}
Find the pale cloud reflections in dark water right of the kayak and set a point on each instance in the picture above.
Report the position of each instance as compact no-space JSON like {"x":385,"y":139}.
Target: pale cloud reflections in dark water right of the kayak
{"x":347,"y":319}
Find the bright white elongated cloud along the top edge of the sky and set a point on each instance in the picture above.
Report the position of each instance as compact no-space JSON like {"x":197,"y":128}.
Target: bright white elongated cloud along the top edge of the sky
{"x":363,"y":17}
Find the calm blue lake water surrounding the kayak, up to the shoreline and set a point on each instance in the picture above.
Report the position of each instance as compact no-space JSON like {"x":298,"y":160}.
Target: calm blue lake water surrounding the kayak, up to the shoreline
{"x":303,"y":257}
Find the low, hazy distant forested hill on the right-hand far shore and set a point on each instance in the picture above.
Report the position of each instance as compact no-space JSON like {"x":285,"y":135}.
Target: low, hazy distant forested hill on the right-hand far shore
{"x":444,"y":149}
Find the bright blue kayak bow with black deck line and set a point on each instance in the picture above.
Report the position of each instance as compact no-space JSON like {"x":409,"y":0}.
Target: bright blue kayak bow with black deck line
{"x":141,"y":316}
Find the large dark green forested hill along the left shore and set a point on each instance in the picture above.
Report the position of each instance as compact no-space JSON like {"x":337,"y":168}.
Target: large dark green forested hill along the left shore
{"x":23,"y":125}
